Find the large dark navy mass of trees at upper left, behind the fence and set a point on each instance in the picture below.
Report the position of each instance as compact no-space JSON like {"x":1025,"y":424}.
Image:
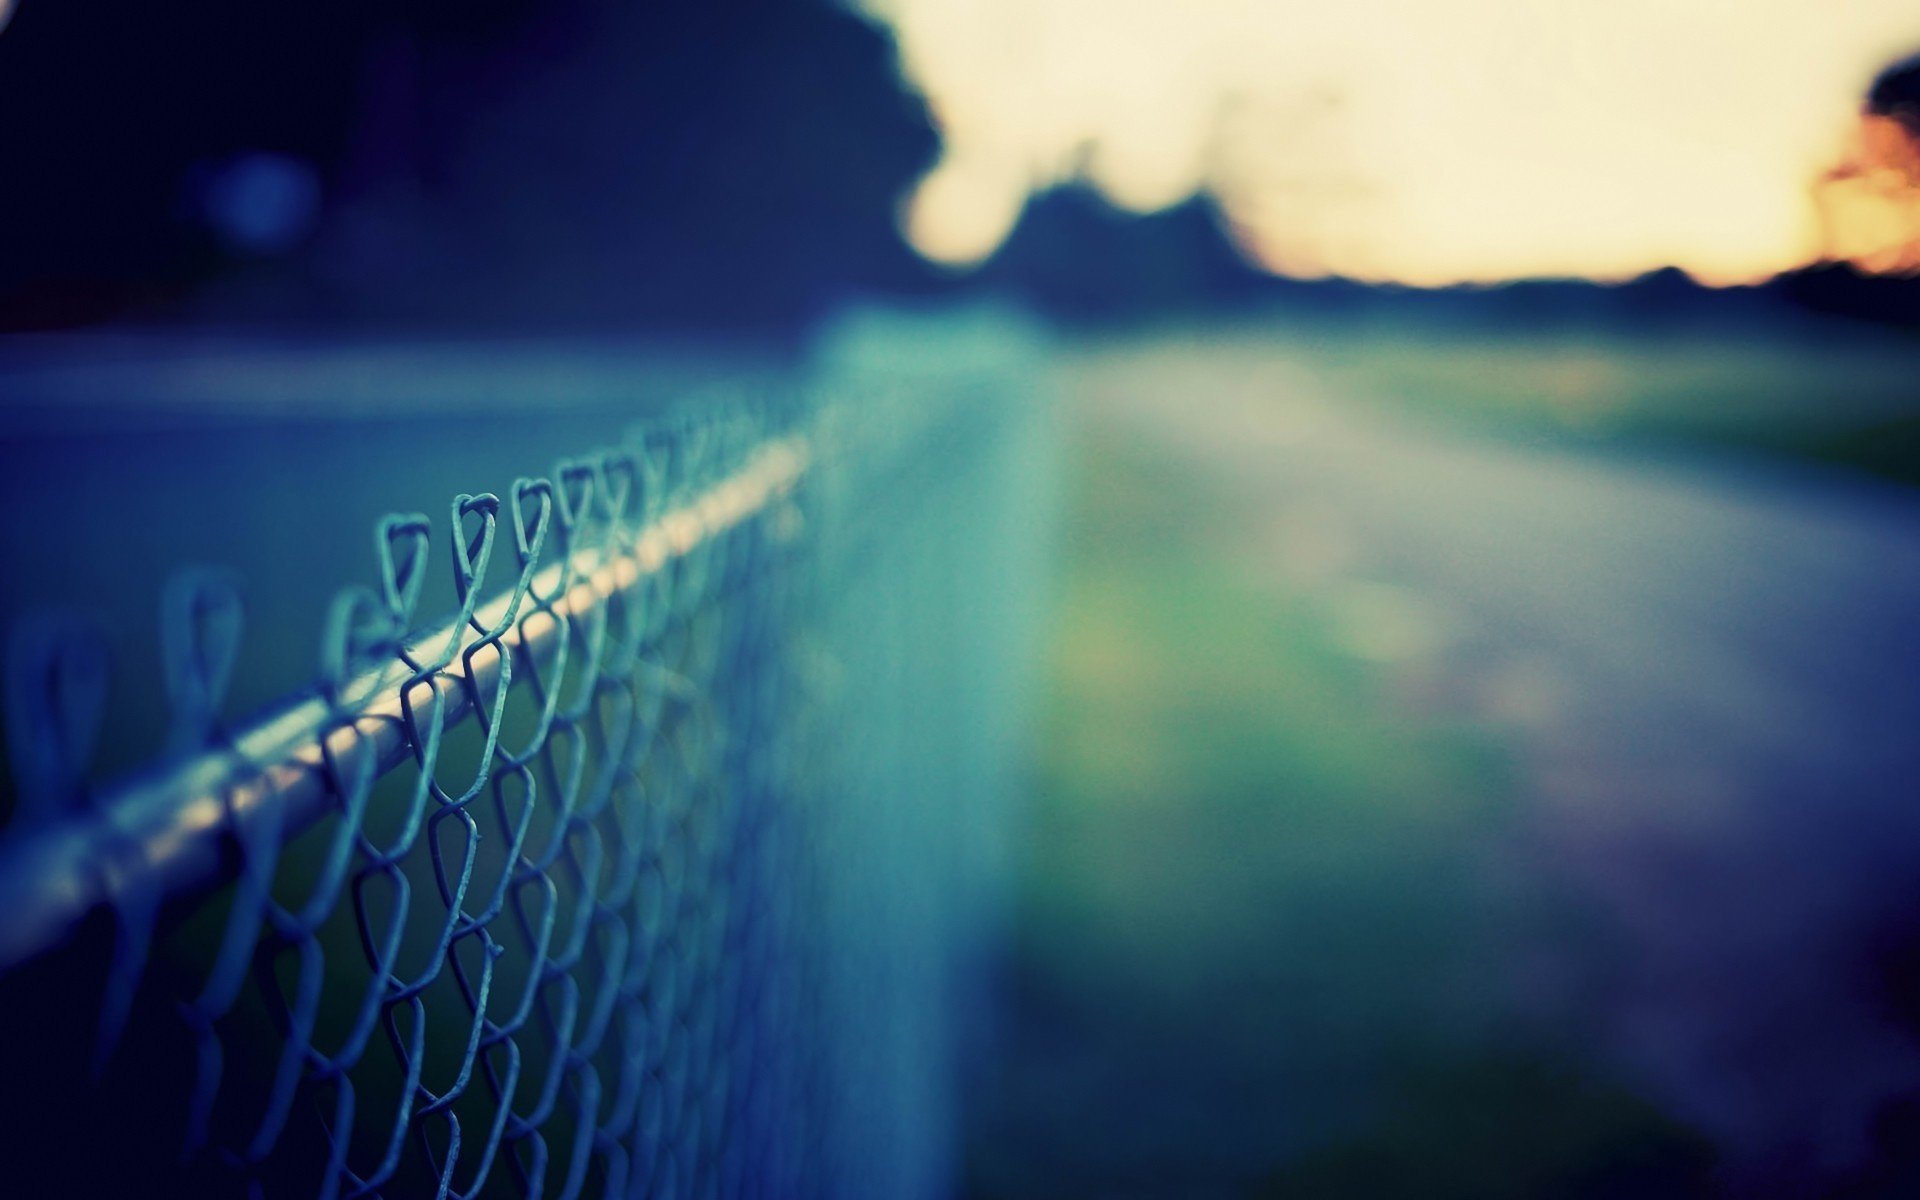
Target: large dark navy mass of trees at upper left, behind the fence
{"x":531,"y":162}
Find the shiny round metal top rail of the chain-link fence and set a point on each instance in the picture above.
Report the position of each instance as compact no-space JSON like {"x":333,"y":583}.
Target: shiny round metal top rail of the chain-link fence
{"x":164,"y":832}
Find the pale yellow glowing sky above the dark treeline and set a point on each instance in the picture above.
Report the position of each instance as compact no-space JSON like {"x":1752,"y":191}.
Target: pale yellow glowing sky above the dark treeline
{"x":1422,"y":141}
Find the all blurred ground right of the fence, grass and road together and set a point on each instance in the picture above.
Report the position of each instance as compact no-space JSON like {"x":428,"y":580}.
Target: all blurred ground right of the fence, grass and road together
{"x":1443,"y":804}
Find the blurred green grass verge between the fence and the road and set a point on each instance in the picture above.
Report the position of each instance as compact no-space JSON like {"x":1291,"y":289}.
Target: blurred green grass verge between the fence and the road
{"x":1260,"y":942}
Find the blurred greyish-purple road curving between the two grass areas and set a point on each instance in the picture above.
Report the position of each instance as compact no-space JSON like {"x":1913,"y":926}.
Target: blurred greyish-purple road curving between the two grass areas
{"x":1708,"y":677}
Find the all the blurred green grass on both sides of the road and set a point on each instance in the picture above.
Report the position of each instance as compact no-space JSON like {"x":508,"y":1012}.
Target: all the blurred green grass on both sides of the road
{"x":1268,"y":926}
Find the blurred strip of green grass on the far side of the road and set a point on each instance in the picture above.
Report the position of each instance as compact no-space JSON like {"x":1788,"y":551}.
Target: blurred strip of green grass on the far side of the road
{"x":1819,"y":393}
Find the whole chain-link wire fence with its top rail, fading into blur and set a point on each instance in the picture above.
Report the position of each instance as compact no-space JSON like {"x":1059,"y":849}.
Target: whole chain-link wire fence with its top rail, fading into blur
{"x":667,"y":867}
